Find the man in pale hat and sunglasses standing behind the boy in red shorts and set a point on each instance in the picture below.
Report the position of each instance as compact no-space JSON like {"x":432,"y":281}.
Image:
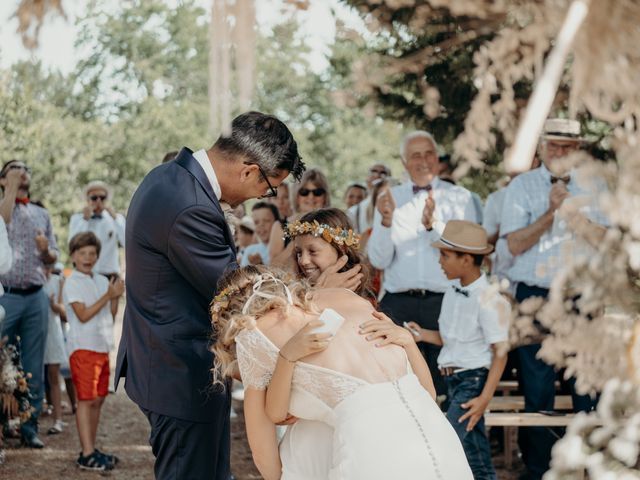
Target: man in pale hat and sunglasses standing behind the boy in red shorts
{"x":99,"y":217}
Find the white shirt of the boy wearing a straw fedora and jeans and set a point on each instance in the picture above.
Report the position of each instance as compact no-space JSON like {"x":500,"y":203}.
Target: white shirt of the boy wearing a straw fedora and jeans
{"x":471,"y":323}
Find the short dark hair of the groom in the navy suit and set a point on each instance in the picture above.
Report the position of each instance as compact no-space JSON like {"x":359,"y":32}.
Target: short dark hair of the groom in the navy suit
{"x":265,"y":141}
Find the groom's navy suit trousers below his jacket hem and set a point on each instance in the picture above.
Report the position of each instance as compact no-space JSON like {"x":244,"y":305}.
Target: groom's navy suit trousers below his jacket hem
{"x":187,"y":450}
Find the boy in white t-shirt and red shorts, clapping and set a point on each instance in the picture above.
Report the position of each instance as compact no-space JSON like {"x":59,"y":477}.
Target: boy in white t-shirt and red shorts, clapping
{"x":90,"y":300}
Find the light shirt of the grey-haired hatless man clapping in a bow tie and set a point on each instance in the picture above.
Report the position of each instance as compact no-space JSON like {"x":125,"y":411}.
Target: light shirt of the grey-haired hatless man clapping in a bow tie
{"x":404,"y":250}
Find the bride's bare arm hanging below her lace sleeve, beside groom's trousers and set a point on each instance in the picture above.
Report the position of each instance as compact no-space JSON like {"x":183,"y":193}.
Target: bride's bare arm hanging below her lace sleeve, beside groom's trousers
{"x":261,"y":433}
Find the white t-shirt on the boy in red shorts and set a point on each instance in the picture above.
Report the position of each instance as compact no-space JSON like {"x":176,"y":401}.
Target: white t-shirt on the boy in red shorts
{"x":96,"y":334}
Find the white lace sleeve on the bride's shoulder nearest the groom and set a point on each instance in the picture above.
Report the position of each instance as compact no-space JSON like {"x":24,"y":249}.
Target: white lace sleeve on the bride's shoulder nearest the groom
{"x":256,"y":359}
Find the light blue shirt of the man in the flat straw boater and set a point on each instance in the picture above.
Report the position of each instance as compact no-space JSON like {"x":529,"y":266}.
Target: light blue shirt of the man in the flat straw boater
{"x":526,"y":200}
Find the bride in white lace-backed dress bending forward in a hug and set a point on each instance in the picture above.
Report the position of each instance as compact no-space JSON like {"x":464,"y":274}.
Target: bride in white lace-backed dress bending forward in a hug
{"x":373,"y":406}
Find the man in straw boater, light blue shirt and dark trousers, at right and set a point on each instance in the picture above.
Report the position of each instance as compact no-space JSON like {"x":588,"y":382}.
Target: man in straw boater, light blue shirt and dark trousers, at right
{"x":538,"y":240}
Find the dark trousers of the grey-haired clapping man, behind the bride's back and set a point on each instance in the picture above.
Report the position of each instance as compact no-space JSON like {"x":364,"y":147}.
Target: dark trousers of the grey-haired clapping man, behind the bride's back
{"x":425,"y":311}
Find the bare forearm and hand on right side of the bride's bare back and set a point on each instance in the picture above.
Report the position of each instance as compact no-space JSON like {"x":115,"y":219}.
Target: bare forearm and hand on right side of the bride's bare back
{"x":384,"y":332}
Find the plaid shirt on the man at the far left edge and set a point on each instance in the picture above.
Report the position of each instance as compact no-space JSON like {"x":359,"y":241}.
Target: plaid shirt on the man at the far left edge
{"x":27,"y":269}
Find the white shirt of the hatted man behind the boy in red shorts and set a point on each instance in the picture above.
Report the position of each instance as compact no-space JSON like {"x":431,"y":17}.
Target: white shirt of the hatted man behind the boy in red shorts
{"x":110,"y":232}
